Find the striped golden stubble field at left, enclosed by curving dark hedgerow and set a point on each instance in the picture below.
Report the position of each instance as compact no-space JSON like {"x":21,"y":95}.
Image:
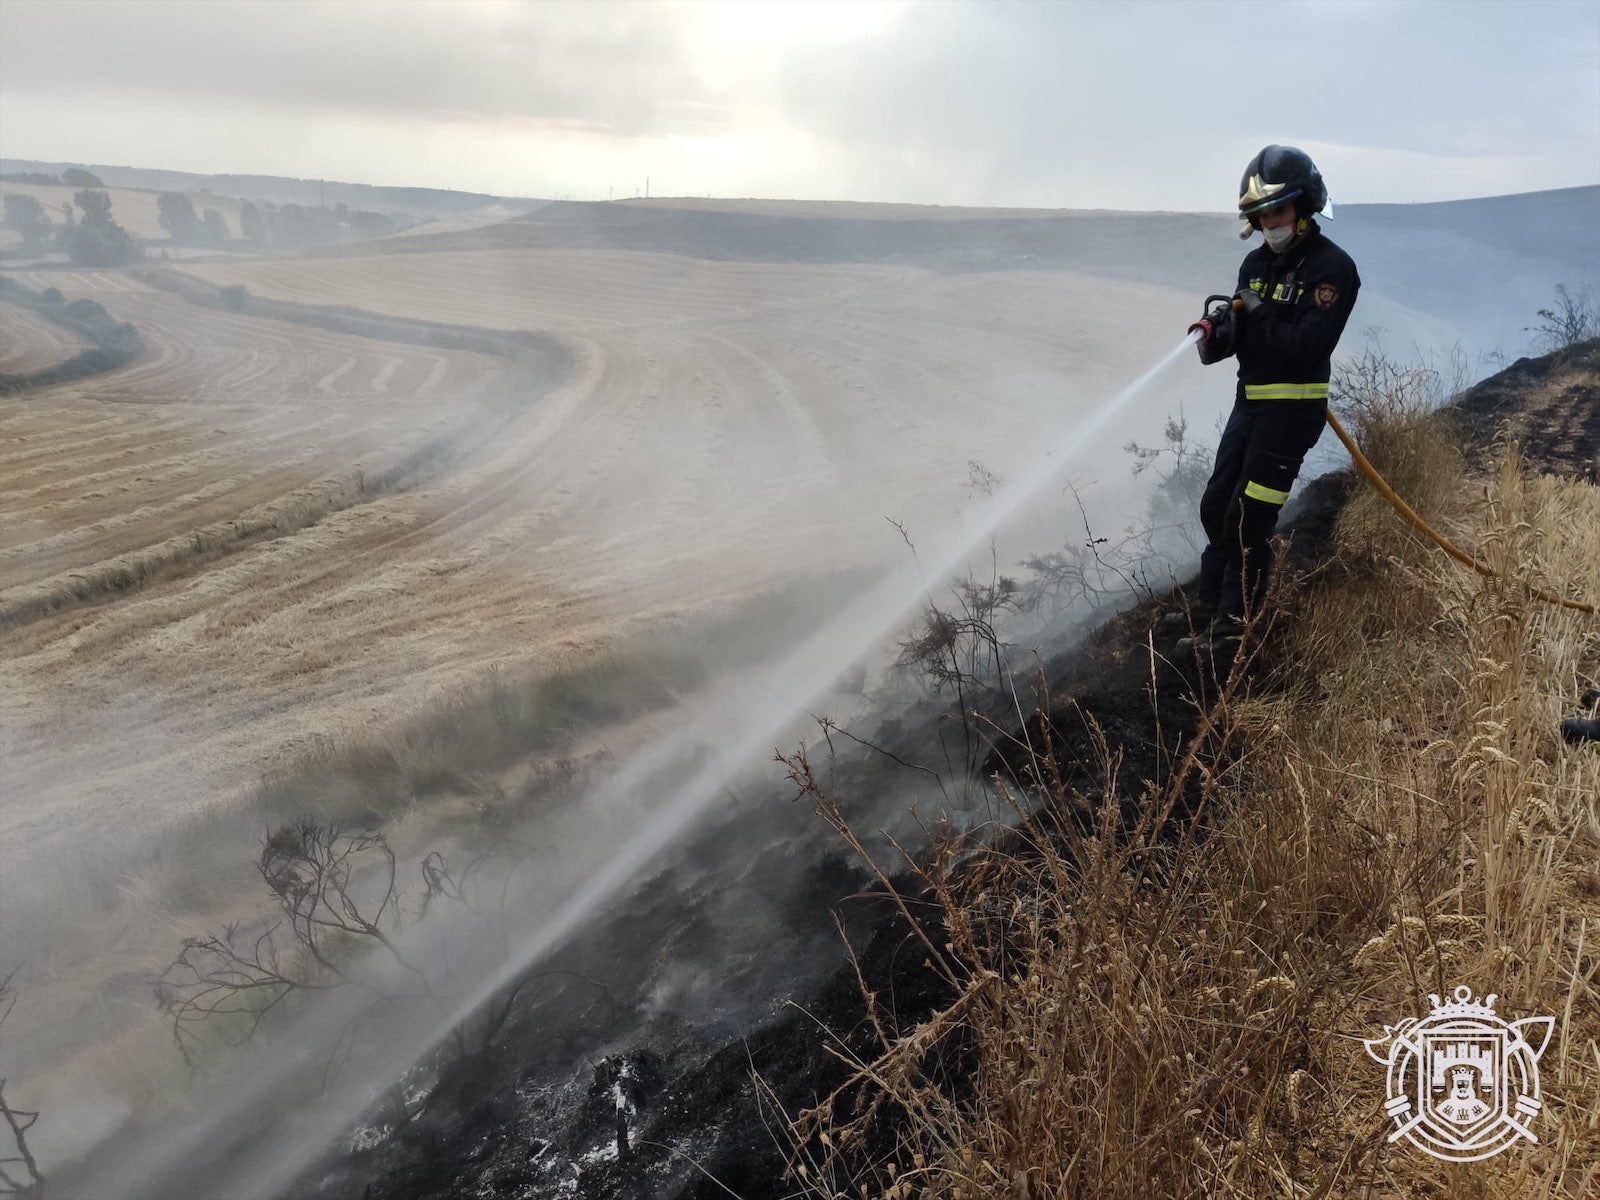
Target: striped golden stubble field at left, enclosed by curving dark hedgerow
{"x":92,"y":486}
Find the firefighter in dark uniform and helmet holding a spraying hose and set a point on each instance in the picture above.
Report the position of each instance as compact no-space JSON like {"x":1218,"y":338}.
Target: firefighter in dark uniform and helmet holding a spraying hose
{"x":1294,"y":300}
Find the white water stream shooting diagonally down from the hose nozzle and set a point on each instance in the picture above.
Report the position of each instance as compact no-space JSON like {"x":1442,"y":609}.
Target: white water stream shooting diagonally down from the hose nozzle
{"x":650,"y":804}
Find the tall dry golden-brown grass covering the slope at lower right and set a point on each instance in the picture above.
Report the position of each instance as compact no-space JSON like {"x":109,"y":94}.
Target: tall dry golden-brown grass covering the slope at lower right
{"x":1390,"y":817}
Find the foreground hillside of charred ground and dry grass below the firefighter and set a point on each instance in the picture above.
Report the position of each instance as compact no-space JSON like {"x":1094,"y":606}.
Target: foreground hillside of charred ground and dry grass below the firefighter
{"x":1345,"y":948}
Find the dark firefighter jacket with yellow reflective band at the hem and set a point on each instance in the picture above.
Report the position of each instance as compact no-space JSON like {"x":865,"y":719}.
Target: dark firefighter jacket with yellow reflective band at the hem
{"x":1286,"y":348}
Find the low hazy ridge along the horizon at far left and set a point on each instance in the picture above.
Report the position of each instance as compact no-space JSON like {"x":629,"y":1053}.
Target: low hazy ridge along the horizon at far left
{"x":286,"y":191}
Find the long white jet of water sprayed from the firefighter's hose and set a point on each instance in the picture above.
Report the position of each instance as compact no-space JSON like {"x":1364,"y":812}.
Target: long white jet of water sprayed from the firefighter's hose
{"x":748,"y":719}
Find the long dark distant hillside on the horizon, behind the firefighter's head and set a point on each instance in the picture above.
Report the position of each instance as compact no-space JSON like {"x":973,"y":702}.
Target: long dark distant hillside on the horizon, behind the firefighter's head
{"x":1554,"y":230}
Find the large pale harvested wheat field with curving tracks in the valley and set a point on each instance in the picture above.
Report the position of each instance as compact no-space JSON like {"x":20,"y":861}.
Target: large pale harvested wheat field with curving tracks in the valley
{"x":201,"y":582}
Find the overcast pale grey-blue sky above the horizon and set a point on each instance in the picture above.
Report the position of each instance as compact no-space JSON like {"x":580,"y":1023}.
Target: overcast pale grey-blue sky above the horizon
{"x":1135,"y":105}
